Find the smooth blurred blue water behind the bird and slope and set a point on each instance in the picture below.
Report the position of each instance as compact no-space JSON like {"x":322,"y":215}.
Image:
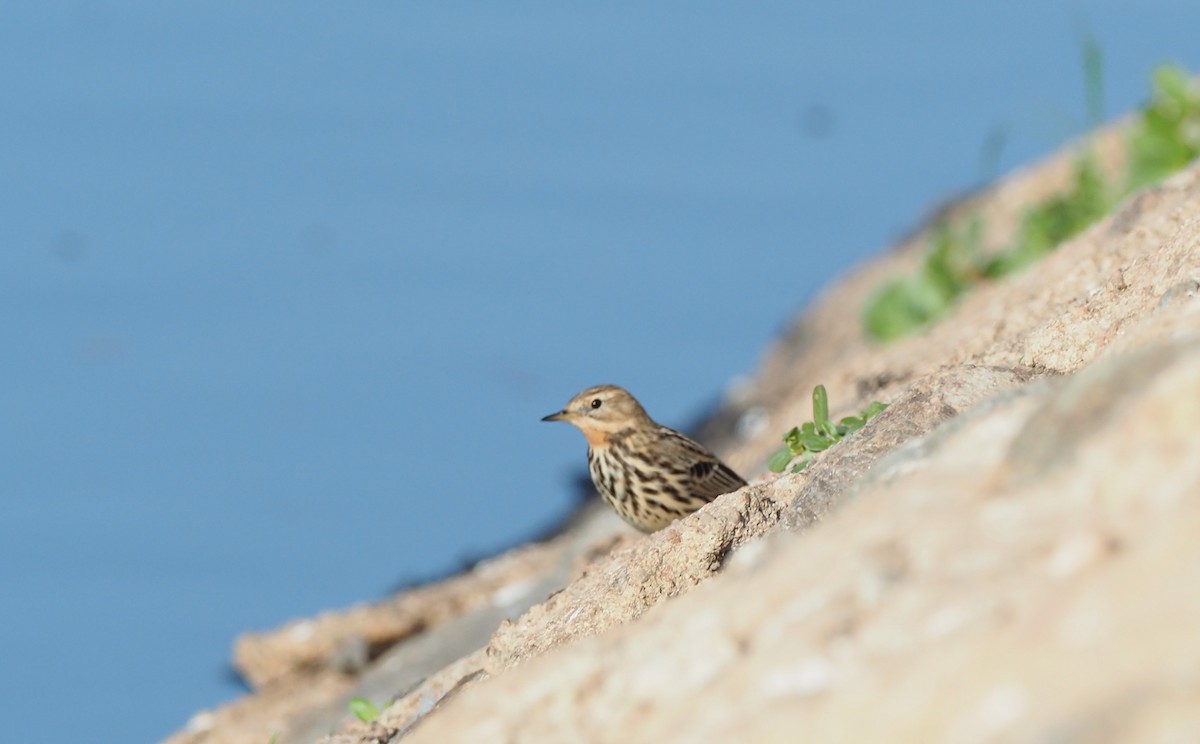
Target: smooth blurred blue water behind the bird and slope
{"x":286,"y":289}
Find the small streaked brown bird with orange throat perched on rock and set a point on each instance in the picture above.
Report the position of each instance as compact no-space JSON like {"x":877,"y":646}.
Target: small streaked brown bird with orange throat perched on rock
{"x":651,"y":475}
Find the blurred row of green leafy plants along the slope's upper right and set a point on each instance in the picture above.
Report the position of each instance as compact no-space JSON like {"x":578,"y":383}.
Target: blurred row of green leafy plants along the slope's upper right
{"x":1163,"y":140}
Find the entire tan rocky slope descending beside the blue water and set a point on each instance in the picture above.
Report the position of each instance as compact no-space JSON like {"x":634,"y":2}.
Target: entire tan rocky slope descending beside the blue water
{"x":1011,"y":553}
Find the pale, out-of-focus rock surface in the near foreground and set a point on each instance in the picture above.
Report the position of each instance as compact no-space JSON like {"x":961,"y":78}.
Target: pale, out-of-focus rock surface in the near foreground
{"x":967,"y":596}
